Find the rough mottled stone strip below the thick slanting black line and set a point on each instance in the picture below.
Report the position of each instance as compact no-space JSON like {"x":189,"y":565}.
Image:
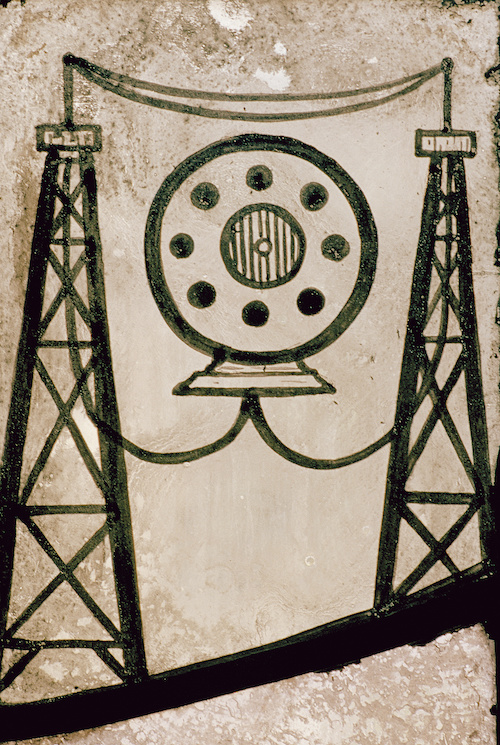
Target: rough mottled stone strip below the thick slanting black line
{"x":440,"y":693}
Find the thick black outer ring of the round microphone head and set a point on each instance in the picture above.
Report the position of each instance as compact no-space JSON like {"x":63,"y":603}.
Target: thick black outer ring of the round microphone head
{"x":260,"y":142}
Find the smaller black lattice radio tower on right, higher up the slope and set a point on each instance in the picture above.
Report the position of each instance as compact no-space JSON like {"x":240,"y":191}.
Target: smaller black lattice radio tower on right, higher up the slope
{"x":439,"y":323}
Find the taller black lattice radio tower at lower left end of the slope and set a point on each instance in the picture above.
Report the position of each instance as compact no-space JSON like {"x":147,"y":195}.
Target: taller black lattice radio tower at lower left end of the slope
{"x":66,"y":245}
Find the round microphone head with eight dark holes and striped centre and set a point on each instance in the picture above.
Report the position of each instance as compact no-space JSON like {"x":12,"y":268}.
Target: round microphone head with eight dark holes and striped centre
{"x":261,"y":246}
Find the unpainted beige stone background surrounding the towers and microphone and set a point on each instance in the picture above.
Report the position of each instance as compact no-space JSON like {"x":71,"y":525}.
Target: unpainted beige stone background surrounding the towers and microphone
{"x":232,"y":555}
